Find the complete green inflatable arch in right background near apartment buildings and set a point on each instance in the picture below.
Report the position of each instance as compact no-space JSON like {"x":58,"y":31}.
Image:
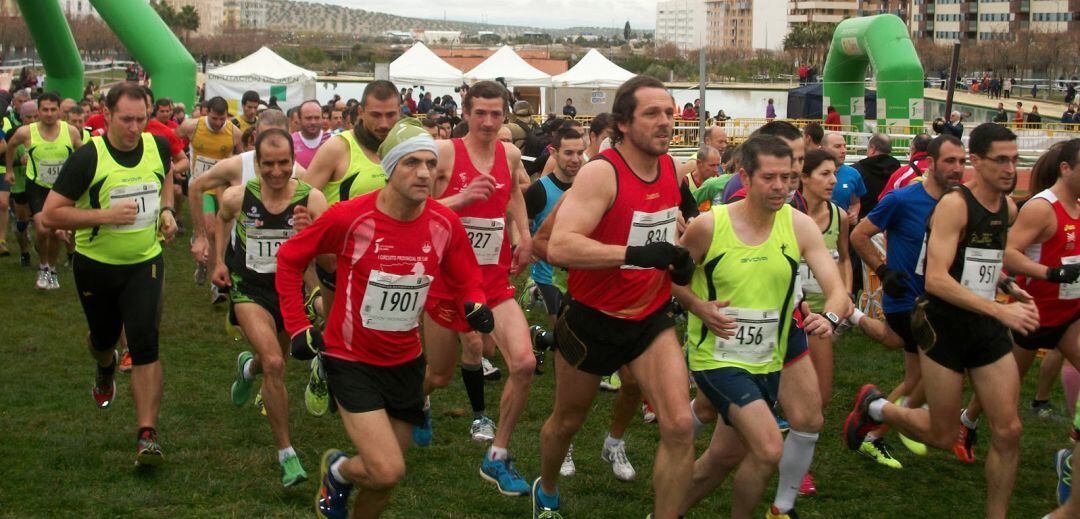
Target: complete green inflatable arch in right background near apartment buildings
{"x":882,"y":43}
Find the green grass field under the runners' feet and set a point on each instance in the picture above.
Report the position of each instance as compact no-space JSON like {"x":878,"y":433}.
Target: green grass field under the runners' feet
{"x":64,"y":458}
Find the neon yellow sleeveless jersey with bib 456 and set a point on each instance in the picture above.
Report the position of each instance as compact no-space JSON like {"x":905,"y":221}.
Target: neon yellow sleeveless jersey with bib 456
{"x":760,"y":281}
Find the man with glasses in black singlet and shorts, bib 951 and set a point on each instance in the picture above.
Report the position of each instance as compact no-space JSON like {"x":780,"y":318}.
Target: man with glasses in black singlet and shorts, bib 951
{"x":958,"y":325}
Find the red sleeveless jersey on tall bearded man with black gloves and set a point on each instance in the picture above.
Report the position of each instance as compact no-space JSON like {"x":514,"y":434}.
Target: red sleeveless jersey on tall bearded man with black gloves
{"x":641,"y":214}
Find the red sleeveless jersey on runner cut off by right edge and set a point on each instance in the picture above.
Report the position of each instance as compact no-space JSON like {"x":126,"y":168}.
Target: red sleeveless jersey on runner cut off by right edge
{"x":1059,"y":304}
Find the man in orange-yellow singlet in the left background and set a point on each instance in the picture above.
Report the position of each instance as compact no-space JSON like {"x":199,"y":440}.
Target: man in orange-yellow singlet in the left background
{"x":213,"y":139}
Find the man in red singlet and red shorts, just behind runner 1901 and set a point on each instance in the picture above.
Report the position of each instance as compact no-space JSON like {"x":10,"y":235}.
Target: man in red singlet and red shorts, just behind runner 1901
{"x":477,"y":180}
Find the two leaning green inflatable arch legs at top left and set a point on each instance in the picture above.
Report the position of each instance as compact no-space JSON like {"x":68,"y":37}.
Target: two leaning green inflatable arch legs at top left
{"x":139,"y":28}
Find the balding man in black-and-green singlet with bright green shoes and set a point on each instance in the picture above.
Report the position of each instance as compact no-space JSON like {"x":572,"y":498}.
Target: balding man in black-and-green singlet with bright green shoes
{"x":267,"y":212}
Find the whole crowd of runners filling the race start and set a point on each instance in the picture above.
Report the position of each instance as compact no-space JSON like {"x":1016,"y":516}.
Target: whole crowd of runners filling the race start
{"x":382,"y":252}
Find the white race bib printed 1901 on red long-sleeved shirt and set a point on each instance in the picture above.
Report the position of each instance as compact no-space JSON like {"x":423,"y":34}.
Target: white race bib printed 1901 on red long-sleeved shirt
{"x":394,"y":303}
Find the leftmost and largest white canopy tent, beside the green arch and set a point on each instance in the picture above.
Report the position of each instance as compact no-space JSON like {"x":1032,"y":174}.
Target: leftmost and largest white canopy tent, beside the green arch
{"x":266,"y":73}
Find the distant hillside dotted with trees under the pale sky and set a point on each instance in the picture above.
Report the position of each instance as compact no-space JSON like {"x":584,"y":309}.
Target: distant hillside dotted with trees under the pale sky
{"x":321,"y":18}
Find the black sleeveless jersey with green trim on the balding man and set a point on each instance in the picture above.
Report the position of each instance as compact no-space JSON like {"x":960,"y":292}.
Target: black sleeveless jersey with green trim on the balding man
{"x":259,"y":234}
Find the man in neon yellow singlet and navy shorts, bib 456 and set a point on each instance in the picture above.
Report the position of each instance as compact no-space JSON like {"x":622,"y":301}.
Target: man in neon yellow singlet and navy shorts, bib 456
{"x":740,"y":325}
